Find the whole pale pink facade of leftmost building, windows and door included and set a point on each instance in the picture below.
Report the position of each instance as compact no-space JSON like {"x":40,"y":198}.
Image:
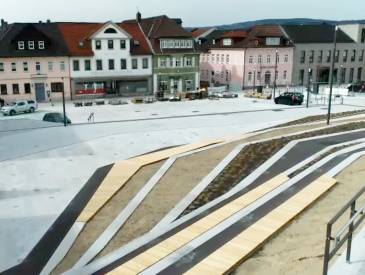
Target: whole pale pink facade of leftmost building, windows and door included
{"x":41,"y":79}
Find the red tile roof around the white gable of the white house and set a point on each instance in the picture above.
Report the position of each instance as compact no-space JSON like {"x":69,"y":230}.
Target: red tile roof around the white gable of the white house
{"x":74,"y":33}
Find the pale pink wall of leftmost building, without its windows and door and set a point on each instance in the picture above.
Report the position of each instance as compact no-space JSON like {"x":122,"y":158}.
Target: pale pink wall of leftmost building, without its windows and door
{"x":45,"y":76}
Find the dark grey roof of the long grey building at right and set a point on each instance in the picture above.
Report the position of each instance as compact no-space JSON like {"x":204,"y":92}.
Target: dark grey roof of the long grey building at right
{"x":315,"y":34}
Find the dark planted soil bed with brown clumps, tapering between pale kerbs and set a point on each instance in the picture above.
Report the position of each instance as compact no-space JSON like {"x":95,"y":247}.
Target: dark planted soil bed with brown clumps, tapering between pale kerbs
{"x":250,"y":158}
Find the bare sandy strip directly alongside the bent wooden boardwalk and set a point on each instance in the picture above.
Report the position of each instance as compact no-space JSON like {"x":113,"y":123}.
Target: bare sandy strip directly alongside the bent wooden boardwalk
{"x":105,"y":216}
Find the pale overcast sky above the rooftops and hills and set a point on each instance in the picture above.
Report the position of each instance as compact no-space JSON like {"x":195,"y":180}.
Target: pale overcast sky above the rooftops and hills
{"x":192,"y":12}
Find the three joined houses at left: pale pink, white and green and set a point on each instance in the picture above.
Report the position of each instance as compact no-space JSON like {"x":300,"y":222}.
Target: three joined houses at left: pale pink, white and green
{"x":135,"y":57}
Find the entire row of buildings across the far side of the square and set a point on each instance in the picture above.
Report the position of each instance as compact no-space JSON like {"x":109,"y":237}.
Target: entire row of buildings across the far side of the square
{"x":147,"y":56}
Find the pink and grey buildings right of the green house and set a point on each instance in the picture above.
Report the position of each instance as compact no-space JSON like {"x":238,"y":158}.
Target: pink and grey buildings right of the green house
{"x":297,"y":54}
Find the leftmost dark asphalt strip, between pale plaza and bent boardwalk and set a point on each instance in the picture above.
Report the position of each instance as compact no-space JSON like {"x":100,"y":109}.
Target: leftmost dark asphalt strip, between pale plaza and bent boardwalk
{"x":42,"y":252}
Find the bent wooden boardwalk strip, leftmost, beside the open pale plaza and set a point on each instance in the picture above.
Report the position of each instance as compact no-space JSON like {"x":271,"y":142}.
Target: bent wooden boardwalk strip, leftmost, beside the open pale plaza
{"x":124,"y":170}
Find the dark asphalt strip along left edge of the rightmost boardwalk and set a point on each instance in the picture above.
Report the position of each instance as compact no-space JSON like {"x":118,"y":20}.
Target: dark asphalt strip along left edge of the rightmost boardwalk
{"x":198,"y":254}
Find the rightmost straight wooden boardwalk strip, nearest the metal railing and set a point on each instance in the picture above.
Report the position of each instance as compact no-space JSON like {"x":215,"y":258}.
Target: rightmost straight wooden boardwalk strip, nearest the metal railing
{"x":239,"y":248}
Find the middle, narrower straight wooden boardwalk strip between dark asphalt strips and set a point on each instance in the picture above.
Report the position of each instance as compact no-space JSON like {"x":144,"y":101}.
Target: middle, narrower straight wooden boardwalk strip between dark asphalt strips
{"x":181,"y":238}
